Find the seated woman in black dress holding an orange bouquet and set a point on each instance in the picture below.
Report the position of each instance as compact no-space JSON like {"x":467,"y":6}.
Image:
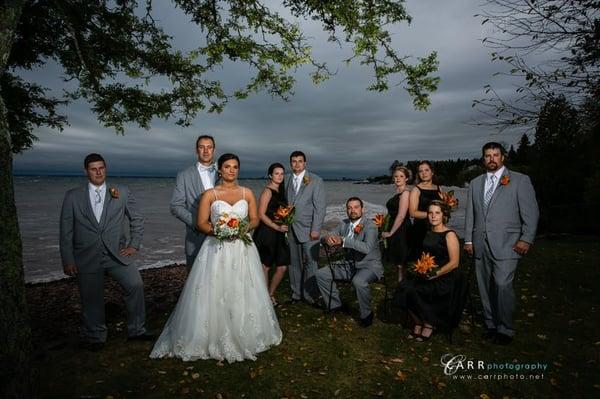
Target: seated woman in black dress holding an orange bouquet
{"x":435,"y":303}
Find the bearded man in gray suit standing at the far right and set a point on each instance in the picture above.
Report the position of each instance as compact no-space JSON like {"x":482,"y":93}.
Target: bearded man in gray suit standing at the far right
{"x":500,"y":225}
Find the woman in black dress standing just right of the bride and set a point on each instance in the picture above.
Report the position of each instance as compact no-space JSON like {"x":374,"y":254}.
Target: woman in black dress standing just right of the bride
{"x":269,"y":236}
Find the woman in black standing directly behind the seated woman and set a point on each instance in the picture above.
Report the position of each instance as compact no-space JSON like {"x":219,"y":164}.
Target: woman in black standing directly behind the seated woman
{"x":425,"y":191}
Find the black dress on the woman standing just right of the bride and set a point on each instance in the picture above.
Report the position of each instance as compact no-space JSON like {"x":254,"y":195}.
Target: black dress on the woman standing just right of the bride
{"x":272,"y":245}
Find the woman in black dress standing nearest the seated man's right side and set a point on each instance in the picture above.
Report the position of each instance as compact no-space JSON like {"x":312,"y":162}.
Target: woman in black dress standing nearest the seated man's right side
{"x":397,"y":207}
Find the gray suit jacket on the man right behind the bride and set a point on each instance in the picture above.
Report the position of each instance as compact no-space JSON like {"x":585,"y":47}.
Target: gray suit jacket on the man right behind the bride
{"x":184,"y":206}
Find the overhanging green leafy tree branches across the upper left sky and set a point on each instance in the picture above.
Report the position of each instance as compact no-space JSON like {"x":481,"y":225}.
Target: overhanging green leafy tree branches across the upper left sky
{"x":121,"y":60}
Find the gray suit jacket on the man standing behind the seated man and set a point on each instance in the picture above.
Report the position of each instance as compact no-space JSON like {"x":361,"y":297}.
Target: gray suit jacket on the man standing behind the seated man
{"x":310,"y":205}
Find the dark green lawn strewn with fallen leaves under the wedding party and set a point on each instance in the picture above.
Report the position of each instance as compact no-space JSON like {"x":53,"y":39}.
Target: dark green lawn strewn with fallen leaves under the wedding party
{"x":322,"y":356}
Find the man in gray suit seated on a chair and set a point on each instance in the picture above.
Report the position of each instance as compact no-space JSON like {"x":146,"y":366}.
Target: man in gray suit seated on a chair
{"x":358,"y":236}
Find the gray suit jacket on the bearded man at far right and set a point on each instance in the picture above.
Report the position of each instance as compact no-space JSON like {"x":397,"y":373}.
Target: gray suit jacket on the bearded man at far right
{"x":512,"y":215}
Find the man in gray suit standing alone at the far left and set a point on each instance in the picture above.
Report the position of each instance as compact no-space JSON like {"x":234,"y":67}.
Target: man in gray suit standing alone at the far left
{"x":93,"y":243}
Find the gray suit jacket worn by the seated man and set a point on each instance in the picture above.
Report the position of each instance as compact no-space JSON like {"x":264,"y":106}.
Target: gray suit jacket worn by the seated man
{"x":363,"y":247}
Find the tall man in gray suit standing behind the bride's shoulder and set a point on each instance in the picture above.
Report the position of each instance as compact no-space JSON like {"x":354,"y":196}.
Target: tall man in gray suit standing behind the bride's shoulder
{"x":189,"y":186}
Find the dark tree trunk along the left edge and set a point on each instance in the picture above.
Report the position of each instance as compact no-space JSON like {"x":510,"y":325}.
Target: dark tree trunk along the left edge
{"x":16,"y":373}
